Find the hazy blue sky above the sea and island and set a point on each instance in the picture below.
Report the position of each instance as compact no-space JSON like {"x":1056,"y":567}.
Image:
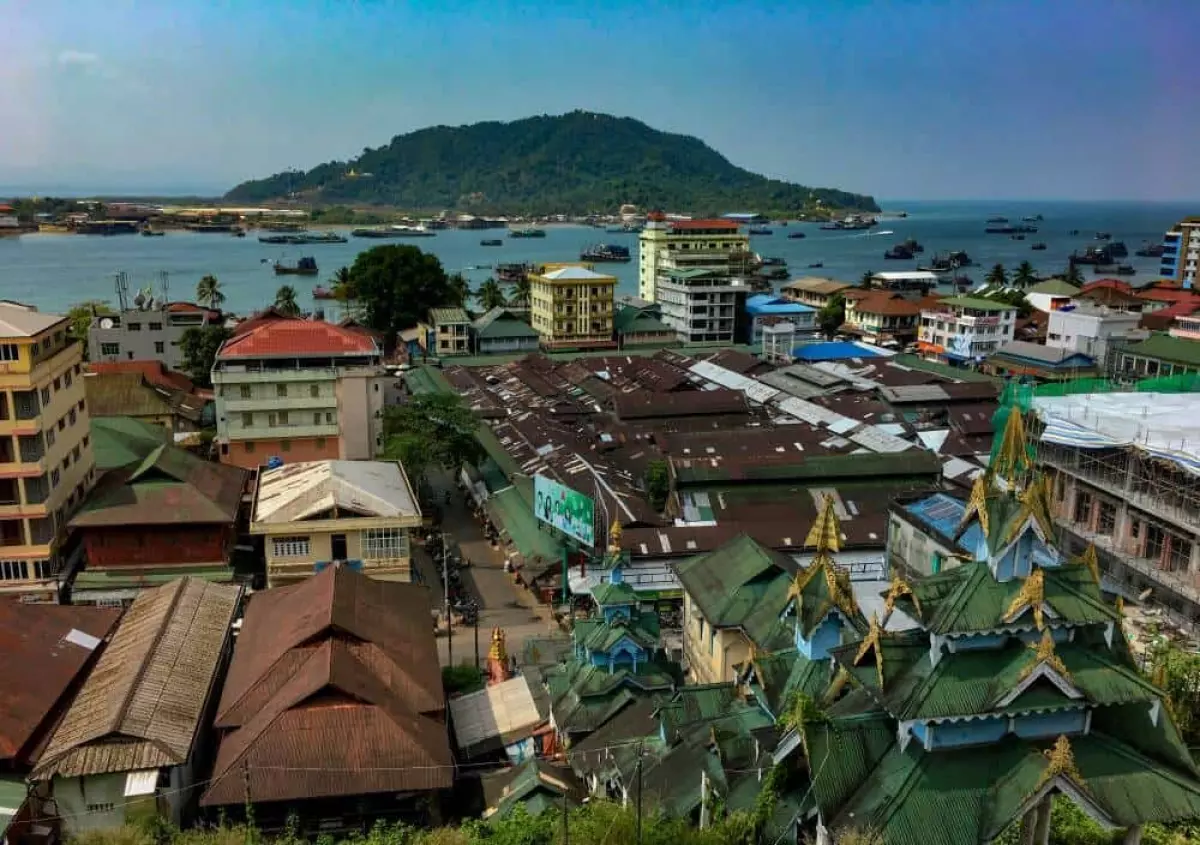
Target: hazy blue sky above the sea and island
{"x":905,"y":99}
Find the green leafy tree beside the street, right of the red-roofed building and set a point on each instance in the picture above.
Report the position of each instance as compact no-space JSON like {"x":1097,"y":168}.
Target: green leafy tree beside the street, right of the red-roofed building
{"x":431,"y":430}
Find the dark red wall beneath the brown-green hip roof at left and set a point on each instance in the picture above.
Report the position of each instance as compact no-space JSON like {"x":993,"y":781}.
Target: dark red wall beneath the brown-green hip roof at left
{"x":148,"y":546}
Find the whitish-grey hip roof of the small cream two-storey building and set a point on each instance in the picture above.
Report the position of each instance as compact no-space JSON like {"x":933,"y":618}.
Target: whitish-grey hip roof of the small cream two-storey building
{"x":303,"y":492}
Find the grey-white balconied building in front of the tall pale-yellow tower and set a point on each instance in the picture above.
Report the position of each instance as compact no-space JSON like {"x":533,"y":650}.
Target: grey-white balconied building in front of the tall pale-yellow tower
{"x":703,"y":307}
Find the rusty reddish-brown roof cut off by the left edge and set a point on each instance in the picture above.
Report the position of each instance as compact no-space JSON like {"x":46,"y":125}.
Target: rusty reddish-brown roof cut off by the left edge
{"x":40,"y":646}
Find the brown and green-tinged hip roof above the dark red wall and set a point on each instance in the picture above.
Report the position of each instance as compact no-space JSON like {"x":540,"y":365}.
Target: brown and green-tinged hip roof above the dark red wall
{"x":170,"y":487}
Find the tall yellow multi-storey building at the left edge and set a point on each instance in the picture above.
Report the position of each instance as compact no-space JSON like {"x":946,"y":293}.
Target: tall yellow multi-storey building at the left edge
{"x":46,"y":460}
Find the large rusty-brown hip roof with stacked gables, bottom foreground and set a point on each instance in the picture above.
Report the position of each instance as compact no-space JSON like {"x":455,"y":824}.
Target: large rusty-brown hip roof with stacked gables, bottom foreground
{"x":334,"y":691}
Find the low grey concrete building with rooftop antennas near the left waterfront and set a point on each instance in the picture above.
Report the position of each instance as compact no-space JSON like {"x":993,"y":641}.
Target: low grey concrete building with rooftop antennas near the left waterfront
{"x":151,"y":333}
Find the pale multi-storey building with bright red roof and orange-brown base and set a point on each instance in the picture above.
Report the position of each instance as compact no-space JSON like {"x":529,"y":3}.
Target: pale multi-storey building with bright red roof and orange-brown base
{"x":299,"y":391}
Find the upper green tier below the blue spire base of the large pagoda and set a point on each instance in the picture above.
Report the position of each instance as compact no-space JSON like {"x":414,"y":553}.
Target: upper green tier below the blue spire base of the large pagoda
{"x":969,"y":600}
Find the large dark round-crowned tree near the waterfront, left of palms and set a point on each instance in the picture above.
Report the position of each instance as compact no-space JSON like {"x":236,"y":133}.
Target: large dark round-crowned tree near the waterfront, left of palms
{"x":397,"y":286}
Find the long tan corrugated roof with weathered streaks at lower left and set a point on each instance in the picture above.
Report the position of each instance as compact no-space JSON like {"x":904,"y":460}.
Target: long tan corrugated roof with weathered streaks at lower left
{"x":143,"y":703}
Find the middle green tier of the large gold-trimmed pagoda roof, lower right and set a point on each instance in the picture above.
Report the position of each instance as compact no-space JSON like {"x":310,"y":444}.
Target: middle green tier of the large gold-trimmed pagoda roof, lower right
{"x":1010,"y":680}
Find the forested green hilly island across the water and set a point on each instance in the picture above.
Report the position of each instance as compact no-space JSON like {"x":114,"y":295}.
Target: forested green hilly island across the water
{"x":573,"y":164}
